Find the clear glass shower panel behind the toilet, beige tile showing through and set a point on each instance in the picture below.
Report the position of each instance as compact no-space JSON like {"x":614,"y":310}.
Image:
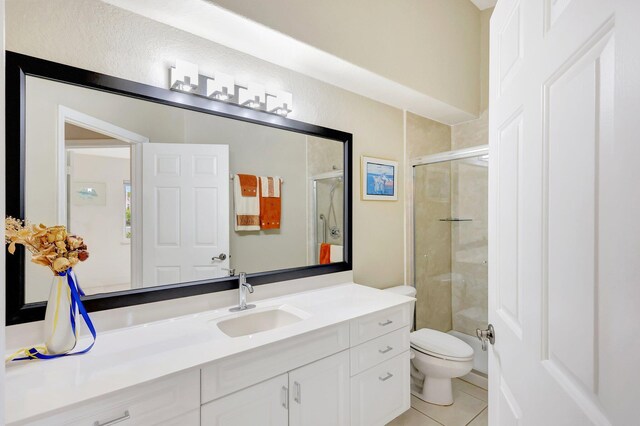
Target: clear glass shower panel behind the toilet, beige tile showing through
{"x":450,"y":244}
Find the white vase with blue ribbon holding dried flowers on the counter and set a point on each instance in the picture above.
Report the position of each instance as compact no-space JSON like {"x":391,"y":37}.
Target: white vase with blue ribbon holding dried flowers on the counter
{"x":59,"y":336}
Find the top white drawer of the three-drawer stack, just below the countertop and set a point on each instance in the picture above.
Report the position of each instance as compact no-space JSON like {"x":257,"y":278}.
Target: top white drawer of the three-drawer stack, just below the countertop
{"x":379,"y":323}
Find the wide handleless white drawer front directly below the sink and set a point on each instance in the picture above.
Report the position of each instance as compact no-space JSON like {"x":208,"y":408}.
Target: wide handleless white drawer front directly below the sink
{"x":247,"y":368}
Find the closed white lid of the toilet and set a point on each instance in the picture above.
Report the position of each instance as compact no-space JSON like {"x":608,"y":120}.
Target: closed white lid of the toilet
{"x":441,"y":345}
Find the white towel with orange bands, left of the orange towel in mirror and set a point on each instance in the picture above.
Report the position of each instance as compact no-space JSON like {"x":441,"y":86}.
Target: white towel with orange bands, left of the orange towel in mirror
{"x":247,"y":207}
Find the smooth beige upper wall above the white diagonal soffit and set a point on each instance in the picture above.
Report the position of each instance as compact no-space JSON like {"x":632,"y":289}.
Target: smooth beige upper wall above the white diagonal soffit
{"x":428,"y":45}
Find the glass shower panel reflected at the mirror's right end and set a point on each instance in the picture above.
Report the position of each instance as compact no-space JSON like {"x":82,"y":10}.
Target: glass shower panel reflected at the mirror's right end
{"x":328,"y":218}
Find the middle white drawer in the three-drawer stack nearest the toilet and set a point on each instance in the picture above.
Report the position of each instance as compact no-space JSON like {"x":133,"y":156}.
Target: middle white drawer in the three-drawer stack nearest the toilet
{"x":378,"y":350}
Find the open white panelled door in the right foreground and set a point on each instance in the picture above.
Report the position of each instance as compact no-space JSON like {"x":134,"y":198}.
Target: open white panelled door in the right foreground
{"x":564,"y":292}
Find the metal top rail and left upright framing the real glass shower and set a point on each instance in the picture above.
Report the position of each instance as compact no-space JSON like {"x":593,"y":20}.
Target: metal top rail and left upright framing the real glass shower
{"x":441,"y":157}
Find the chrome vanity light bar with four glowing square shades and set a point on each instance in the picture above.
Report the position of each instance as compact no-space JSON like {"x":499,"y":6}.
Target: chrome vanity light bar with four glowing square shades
{"x":184,"y":77}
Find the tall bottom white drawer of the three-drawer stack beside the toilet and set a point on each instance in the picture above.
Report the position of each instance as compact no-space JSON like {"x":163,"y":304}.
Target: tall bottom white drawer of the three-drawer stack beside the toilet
{"x":381,"y":393}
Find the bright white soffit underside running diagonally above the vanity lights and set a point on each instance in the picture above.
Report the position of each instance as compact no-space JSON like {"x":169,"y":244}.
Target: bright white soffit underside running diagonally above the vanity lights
{"x":214,"y":23}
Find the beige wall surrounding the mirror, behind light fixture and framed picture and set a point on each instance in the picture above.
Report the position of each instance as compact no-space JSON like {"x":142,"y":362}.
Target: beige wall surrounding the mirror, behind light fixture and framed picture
{"x":96,"y":36}
